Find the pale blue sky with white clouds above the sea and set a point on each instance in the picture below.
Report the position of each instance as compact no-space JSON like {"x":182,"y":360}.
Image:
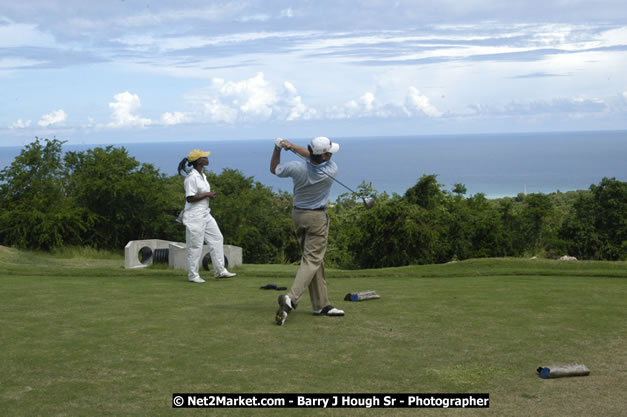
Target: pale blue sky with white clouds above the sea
{"x":131,"y":71}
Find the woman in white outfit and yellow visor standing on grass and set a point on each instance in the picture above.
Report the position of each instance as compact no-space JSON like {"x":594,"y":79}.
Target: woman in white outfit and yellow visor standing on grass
{"x":199,"y":223}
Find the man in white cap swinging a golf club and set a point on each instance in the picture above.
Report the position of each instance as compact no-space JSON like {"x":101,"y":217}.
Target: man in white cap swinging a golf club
{"x":312,"y":188}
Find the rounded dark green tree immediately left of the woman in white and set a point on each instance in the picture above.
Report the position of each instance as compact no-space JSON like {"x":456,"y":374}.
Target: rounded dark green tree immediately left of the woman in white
{"x":126,"y":200}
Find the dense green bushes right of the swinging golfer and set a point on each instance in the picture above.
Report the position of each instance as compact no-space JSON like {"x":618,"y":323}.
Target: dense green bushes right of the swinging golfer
{"x":431,"y":225}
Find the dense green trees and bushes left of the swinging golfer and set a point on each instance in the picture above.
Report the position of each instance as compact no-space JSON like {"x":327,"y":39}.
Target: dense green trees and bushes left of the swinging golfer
{"x":103,"y":198}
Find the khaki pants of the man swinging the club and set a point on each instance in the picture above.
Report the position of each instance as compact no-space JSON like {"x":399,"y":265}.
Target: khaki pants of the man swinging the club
{"x":312,"y":232}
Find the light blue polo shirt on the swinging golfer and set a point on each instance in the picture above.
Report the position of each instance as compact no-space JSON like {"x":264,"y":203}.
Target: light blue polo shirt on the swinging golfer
{"x":312,"y":187}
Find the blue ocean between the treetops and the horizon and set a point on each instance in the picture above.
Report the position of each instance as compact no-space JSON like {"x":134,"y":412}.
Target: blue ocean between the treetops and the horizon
{"x":496,"y":165}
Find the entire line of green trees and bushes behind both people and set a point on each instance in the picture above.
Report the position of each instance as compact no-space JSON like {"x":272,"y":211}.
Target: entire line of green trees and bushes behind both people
{"x":103,"y":198}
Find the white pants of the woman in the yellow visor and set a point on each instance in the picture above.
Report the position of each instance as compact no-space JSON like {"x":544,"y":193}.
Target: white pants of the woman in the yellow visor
{"x":199,"y":229}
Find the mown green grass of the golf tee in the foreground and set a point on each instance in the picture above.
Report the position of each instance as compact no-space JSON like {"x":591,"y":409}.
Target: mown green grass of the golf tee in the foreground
{"x":82,"y":336}
